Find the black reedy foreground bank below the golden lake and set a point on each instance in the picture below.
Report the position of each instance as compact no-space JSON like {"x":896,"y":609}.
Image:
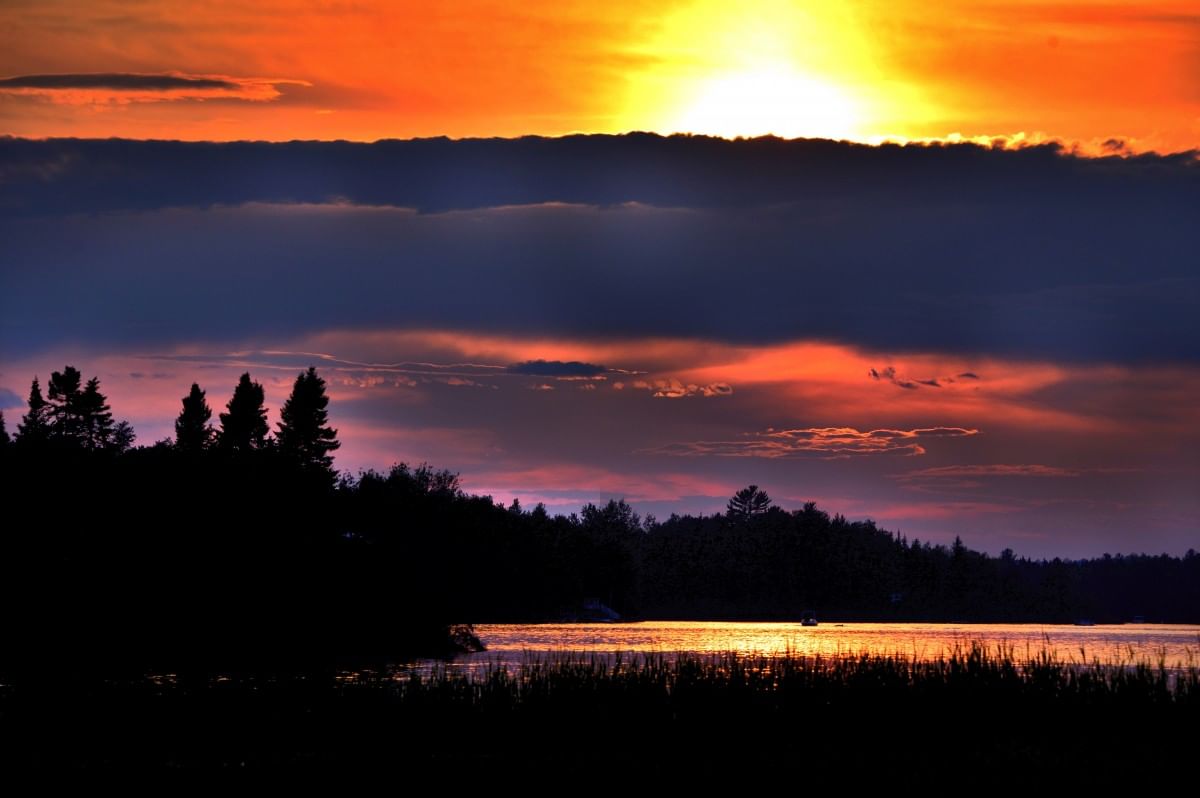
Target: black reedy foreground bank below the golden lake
{"x":687,"y":716}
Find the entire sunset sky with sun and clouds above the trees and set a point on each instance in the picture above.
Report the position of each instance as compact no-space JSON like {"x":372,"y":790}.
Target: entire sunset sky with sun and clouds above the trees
{"x":992,"y":332}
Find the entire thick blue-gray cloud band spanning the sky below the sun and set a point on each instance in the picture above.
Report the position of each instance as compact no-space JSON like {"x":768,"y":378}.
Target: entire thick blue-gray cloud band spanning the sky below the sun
{"x":1028,"y":254}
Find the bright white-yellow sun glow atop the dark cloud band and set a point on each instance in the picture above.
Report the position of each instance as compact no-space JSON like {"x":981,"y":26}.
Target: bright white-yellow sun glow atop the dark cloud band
{"x":758,"y":69}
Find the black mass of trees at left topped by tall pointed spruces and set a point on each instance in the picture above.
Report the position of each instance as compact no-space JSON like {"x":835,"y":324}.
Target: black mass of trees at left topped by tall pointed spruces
{"x":220,"y":550}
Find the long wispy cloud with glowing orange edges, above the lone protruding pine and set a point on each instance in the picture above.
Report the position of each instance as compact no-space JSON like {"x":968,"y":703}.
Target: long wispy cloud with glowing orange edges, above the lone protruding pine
{"x":817,"y":442}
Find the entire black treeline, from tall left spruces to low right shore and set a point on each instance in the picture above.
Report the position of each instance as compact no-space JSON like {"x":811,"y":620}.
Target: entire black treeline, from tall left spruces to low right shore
{"x":232,"y":545}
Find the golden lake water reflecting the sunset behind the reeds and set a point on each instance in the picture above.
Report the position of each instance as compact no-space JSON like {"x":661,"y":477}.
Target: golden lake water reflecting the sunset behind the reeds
{"x":511,"y":645}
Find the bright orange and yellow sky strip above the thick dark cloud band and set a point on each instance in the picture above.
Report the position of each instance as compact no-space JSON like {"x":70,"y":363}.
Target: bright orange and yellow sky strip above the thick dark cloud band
{"x":280,"y":70}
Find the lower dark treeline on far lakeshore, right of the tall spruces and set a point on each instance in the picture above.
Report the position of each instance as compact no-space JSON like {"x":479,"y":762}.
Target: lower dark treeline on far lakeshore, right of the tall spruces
{"x":755,"y":562}
